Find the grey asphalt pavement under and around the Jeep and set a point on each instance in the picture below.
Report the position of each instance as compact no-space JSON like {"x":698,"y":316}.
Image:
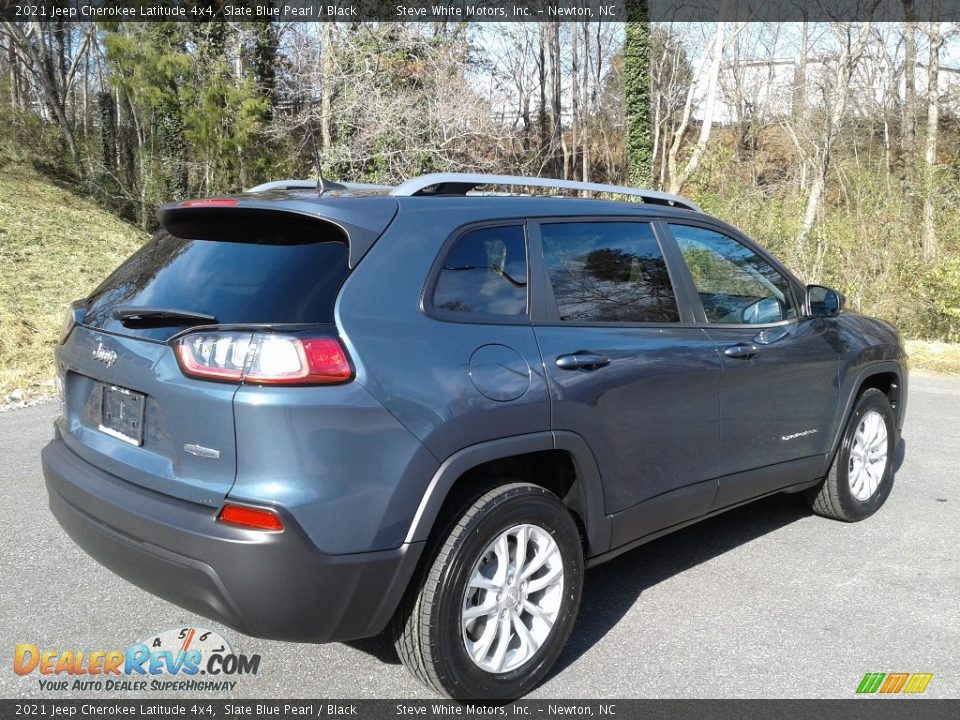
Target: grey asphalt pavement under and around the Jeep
{"x":765,"y":601}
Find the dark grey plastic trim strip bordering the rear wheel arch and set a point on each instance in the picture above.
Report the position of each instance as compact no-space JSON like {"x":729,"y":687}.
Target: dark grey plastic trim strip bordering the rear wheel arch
{"x":588,"y":502}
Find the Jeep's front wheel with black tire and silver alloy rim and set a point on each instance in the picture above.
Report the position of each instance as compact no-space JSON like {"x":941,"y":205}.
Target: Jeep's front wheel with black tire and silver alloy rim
{"x":847,"y":493}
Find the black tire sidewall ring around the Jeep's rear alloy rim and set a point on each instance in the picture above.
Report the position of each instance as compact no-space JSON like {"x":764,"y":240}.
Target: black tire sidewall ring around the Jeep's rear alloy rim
{"x":518,"y":505}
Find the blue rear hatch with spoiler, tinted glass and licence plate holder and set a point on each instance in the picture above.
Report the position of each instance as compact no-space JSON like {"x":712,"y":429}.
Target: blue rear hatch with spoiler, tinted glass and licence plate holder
{"x":129,"y":408}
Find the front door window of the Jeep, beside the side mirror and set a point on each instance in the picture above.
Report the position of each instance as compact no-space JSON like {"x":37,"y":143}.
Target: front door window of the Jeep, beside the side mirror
{"x":734,"y":283}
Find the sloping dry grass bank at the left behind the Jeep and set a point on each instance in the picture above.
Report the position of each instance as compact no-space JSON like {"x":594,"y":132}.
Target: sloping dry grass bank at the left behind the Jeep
{"x":54,"y":247}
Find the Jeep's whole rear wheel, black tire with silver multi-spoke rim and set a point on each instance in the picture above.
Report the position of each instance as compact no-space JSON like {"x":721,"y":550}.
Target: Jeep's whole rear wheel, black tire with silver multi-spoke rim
{"x":430,"y":632}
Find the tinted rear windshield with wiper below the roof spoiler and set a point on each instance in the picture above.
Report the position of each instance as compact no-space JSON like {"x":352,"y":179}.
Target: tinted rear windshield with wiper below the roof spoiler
{"x":235,"y":282}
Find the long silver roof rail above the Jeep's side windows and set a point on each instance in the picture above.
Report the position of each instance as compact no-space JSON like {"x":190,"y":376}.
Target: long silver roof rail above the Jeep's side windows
{"x":462,"y":183}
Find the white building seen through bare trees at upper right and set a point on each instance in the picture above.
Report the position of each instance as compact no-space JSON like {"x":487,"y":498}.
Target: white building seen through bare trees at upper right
{"x":771,"y":89}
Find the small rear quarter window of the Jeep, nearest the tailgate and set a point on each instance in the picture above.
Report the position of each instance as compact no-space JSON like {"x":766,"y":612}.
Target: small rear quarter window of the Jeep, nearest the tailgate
{"x":485,"y":273}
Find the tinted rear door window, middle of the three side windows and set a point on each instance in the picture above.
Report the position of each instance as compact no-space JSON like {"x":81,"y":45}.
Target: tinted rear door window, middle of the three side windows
{"x":608,"y":272}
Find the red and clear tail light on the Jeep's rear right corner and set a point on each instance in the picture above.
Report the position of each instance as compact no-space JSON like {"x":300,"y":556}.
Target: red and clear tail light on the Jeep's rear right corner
{"x":263,"y":358}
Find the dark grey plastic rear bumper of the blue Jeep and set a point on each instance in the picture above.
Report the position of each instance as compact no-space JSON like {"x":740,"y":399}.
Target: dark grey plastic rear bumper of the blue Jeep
{"x":273,"y":585}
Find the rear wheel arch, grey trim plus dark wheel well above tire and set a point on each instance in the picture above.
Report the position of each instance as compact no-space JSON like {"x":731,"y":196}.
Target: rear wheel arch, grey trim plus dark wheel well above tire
{"x":577,"y":481}
